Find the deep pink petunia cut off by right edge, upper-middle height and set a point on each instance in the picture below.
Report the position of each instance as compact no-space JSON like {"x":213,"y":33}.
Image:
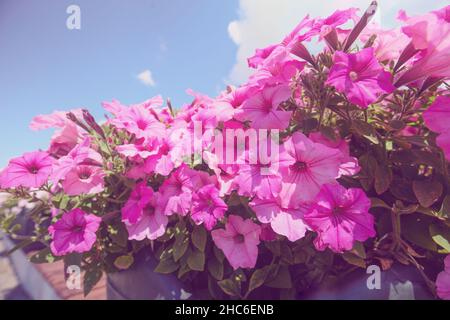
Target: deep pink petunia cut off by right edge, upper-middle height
{"x":437,"y":118}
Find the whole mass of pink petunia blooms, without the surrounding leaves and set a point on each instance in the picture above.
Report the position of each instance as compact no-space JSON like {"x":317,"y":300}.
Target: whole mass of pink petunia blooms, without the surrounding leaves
{"x":176,"y":172}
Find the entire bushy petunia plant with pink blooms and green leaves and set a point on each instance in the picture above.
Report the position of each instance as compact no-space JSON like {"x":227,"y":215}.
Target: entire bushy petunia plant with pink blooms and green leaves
{"x":317,"y":165}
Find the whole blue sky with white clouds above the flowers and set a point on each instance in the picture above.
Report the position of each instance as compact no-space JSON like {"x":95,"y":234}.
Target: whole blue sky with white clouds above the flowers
{"x":198,"y":44}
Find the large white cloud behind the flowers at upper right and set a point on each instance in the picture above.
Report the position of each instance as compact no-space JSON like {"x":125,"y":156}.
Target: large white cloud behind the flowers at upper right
{"x":263,"y":22}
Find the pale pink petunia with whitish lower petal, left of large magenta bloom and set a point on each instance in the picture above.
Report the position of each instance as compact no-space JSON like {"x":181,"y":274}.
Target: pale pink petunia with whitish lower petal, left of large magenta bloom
{"x":284,"y":221}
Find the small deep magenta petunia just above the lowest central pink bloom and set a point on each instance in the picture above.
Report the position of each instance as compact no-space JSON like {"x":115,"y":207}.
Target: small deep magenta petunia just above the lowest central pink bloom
{"x":207,"y":206}
